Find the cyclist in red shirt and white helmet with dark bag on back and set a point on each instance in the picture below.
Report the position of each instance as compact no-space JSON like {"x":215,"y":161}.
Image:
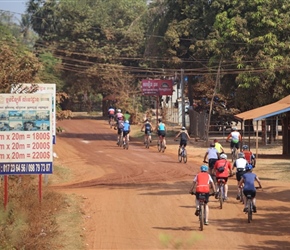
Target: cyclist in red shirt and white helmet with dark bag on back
{"x":222,"y":169}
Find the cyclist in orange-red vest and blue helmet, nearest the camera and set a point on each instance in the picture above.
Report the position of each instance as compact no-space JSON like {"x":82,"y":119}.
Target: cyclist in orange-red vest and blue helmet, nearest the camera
{"x":203,"y":183}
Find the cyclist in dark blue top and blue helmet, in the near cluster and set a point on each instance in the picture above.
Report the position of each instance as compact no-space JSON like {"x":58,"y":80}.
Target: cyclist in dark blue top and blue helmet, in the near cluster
{"x":248,"y":180}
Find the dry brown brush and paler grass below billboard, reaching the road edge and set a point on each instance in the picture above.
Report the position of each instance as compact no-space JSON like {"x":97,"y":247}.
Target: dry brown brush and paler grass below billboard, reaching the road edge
{"x":27,"y":223}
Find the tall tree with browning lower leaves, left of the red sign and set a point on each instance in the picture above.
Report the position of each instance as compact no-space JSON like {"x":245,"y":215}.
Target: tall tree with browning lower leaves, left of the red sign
{"x":94,"y":39}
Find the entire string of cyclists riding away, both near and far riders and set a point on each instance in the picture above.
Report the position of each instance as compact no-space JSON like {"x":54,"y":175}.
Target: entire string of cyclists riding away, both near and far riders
{"x":219,"y":168}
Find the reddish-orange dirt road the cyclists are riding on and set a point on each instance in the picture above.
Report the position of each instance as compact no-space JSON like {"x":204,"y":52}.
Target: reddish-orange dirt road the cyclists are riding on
{"x":138,"y":198}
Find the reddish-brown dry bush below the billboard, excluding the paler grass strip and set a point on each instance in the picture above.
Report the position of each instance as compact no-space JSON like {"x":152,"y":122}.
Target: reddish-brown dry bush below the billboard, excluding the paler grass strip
{"x":26,"y":223}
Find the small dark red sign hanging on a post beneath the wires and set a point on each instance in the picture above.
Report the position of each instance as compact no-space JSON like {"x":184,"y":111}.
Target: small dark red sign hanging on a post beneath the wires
{"x":157,"y":87}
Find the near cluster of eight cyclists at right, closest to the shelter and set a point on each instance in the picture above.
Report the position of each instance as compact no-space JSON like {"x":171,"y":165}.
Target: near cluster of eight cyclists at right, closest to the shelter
{"x":219,"y":168}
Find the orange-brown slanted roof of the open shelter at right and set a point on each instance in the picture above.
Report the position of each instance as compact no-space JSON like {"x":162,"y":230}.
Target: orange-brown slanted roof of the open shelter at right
{"x":266,"y":111}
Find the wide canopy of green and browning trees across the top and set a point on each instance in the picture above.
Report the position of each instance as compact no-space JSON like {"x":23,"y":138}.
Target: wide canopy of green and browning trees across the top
{"x":107,"y":46}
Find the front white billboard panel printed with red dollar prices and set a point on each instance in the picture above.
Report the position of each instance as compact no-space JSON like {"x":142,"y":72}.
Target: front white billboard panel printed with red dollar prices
{"x":25,"y":134}
